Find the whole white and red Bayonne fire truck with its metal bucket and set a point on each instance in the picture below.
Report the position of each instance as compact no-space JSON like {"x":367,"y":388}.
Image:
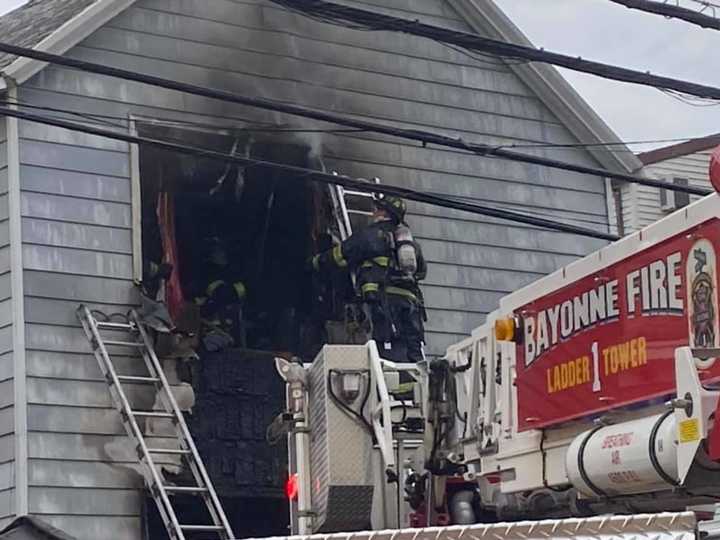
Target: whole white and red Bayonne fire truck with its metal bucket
{"x":583,"y":406}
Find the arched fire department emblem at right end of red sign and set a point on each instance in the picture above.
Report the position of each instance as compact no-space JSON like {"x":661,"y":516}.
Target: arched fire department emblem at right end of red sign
{"x":702,"y":292}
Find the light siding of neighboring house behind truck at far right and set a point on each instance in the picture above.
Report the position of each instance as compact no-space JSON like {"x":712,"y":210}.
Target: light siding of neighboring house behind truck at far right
{"x":644,"y":202}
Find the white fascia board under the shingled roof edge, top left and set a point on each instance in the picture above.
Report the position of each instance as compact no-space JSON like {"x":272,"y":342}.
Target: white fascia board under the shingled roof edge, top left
{"x":67,"y":36}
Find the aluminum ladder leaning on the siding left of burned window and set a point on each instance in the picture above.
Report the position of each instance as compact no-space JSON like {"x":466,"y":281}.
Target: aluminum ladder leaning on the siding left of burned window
{"x":139,"y":340}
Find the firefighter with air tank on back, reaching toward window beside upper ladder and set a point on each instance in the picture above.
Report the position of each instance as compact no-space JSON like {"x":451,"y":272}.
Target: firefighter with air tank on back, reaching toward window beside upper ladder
{"x":388,"y":264}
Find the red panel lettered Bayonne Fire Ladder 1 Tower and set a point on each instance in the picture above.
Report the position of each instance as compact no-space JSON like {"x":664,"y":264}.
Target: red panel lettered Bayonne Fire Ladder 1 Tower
{"x":608,"y":340}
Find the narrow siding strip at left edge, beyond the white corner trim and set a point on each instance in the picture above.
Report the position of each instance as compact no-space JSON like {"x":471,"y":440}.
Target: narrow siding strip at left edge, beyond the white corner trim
{"x":7,"y":379}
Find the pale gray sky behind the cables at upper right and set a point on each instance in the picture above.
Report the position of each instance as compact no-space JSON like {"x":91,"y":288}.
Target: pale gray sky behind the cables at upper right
{"x":601,"y":30}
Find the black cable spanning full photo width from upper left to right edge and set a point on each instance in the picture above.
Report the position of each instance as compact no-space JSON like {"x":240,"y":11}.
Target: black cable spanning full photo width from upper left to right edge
{"x":424,"y":137}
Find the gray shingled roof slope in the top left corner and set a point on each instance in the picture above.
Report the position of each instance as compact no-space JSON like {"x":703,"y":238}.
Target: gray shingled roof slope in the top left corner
{"x":28,"y":25}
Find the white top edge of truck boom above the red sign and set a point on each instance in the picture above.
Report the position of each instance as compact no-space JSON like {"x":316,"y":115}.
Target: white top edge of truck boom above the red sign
{"x":672,"y":225}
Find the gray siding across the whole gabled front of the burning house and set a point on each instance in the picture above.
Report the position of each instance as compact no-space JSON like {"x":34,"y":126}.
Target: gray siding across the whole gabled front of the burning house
{"x":76,"y":208}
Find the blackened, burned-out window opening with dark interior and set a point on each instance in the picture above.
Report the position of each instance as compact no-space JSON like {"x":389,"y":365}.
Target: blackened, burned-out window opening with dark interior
{"x":267,"y":223}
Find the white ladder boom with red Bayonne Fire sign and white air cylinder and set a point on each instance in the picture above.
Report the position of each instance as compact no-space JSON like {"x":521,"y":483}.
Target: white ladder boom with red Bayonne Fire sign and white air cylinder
{"x":638,"y":448}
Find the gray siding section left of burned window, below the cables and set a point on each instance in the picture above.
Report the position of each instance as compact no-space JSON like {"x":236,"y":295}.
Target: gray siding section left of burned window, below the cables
{"x":76,"y":249}
